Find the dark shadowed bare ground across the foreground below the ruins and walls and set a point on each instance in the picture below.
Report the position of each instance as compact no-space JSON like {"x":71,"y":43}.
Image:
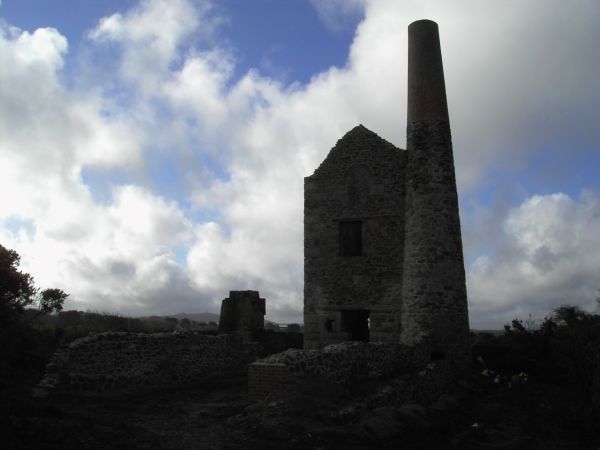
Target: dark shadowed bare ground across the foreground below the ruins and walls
{"x":311,"y":415}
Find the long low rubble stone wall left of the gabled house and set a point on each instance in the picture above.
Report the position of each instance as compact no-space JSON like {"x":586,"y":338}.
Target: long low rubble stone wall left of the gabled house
{"x":117,"y":361}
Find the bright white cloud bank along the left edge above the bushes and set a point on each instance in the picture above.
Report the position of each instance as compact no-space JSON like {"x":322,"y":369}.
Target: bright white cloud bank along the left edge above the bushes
{"x":113,"y":257}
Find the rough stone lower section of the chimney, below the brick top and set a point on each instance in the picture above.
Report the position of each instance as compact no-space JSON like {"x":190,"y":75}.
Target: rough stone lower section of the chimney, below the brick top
{"x":435,"y":297}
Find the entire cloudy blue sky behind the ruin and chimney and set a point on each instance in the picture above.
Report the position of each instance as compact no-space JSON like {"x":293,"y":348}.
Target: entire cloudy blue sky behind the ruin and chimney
{"x":153,"y":151}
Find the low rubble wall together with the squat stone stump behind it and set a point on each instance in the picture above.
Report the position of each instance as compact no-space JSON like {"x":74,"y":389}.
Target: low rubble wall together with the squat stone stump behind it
{"x":130,"y":362}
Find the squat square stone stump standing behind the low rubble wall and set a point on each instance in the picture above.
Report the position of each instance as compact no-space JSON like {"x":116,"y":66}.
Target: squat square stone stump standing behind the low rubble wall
{"x":243,"y":313}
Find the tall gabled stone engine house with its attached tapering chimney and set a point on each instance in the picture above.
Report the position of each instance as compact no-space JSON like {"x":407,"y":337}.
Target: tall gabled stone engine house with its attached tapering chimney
{"x":383,"y":256}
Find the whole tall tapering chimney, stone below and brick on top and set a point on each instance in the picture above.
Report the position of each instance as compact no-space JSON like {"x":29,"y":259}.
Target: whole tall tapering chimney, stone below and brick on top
{"x":434,"y":291}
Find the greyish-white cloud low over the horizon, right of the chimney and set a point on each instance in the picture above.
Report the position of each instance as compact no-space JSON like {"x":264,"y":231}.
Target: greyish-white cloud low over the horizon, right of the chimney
{"x":546,"y":257}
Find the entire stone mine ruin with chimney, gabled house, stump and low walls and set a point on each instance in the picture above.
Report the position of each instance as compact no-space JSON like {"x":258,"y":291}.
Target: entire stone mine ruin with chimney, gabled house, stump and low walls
{"x":384,"y":280}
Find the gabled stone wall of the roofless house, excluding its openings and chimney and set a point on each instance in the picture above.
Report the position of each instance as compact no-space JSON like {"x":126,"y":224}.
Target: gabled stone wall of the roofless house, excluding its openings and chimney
{"x":361,"y":179}
